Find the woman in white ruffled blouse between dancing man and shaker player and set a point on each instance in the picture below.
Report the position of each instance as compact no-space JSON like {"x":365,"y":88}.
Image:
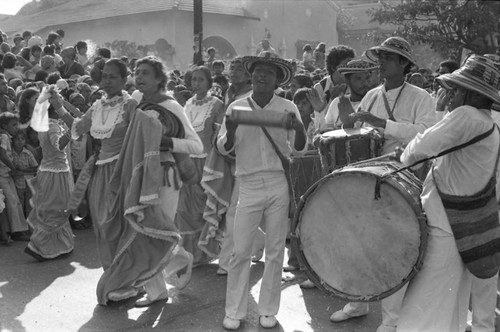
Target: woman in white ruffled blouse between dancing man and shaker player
{"x":204,"y":111}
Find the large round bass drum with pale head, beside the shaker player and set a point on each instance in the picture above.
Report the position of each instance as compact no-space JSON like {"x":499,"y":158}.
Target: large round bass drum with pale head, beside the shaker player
{"x":360,"y":231}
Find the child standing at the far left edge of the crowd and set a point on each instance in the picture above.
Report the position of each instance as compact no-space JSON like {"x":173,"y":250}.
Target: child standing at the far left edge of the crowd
{"x":17,"y":222}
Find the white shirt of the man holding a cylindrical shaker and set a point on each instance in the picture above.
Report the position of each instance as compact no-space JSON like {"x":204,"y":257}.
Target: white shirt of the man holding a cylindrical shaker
{"x":254,"y":152}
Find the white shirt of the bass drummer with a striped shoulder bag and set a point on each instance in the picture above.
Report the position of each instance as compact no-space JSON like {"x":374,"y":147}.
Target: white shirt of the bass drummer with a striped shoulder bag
{"x":464,"y":172}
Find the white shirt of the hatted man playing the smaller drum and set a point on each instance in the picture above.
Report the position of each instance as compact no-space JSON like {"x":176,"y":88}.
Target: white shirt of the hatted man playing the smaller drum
{"x":414,"y":112}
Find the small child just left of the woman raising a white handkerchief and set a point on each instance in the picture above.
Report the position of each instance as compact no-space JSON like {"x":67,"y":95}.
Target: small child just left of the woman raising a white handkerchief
{"x":26,"y":166}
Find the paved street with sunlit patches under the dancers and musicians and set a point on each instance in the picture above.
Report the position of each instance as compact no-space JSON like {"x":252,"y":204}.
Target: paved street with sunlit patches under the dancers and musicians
{"x":59,"y":296}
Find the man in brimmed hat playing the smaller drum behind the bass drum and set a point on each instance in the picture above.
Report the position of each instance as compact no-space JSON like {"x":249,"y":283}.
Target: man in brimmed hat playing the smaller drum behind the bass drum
{"x":399,"y":111}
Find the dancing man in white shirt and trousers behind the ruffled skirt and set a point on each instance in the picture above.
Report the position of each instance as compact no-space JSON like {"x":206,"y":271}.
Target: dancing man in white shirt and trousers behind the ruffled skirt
{"x":151,"y":79}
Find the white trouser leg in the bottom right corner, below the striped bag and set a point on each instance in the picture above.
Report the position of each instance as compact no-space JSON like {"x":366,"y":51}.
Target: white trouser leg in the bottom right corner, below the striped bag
{"x":483,"y":303}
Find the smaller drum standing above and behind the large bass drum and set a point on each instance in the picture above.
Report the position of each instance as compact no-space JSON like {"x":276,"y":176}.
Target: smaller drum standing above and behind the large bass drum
{"x":342,"y":147}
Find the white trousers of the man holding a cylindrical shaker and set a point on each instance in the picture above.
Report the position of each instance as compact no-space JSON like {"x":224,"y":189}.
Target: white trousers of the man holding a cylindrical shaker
{"x":261,"y":196}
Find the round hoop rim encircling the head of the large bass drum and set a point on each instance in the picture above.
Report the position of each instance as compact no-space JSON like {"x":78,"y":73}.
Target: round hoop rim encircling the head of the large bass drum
{"x":295,"y":238}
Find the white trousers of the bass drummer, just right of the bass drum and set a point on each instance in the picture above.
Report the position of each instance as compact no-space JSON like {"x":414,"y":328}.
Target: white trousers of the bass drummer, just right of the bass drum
{"x":437,"y":299}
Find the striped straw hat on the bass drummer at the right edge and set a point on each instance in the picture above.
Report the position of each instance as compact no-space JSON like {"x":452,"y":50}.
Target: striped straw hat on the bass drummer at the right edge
{"x":478,"y":74}
